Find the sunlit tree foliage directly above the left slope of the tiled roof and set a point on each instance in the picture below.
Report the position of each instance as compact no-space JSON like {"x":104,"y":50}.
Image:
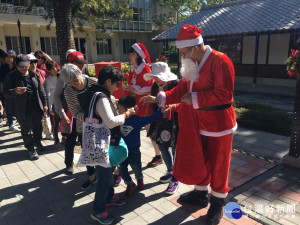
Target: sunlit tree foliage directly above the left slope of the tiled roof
{"x":182,"y":8}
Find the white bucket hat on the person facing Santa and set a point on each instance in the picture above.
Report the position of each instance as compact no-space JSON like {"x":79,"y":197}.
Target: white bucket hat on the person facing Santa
{"x":162,"y":71}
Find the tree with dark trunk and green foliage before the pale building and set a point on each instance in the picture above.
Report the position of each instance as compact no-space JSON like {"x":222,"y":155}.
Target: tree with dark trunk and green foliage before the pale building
{"x":73,"y":15}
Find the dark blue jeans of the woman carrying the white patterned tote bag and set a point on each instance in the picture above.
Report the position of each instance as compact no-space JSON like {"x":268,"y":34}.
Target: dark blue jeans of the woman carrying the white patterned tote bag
{"x":104,"y":188}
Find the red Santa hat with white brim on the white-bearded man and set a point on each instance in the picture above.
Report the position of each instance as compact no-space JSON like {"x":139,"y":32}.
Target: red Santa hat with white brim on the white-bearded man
{"x":188,"y":36}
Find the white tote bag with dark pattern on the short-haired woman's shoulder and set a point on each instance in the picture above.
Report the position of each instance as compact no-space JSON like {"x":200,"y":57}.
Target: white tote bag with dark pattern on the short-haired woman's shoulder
{"x":95,"y":141}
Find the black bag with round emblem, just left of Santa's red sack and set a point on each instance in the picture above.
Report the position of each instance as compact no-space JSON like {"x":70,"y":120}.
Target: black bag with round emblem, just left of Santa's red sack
{"x":164,"y":132}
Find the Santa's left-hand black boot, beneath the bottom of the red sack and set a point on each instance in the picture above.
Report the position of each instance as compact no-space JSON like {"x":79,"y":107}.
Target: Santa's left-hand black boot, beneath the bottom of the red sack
{"x":195,"y":197}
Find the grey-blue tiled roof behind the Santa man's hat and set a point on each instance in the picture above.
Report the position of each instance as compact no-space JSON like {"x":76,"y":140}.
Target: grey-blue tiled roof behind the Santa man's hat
{"x":242,"y":16}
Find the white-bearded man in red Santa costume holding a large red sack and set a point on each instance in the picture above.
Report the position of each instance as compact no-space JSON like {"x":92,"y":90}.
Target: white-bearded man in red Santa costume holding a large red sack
{"x":206,"y":121}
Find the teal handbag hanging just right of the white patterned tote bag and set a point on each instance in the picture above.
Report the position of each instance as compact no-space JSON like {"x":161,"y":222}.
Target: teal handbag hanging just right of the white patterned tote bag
{"x":118,"y":154}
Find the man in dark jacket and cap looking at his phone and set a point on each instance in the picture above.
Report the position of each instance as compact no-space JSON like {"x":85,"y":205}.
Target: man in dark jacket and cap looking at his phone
{"x":29,"y":102}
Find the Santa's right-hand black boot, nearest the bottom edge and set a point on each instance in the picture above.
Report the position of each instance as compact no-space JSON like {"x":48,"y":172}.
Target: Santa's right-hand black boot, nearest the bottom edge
{"x":215,"y":211}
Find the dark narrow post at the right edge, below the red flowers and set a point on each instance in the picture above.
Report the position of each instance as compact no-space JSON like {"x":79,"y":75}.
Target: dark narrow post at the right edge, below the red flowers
{"x":294,"y":150}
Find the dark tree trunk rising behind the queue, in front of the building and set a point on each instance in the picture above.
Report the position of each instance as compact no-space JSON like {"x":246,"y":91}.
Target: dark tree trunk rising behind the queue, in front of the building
{"x":64,"y":30}
